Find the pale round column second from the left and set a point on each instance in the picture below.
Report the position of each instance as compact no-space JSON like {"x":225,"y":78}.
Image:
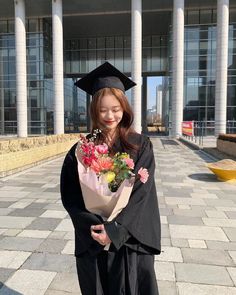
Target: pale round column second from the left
{"x":58,"y":81}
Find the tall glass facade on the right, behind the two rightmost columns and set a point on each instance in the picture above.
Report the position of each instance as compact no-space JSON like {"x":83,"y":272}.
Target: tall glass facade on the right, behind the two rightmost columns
{"x":200,"y":41}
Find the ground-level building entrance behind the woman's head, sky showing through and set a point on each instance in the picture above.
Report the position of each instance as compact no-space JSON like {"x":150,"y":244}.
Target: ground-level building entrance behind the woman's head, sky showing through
{"x":155,"y":106}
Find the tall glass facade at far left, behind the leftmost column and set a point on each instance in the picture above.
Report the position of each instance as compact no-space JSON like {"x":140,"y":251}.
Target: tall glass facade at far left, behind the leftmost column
{"x":39,"y":77}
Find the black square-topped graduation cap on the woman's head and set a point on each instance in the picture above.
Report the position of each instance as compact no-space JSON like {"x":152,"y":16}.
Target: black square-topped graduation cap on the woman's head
{"x":104,"y":76}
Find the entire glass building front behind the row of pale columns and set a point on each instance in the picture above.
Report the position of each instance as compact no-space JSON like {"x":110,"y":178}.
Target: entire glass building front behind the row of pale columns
{"x":82,"y":55}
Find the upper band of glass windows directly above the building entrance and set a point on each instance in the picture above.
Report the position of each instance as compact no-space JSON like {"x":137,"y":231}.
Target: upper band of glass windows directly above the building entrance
{"x":83,"y":55}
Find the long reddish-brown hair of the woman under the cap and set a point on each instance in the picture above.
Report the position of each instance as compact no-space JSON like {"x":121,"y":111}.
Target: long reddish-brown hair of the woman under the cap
{"x":125,"y":125}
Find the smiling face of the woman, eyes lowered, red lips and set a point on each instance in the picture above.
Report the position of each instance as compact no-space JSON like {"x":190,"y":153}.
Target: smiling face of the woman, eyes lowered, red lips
{"x":110,"y":111}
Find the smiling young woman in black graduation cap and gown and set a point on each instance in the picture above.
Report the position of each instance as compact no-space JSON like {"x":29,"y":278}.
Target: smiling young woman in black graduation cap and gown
{"x":134,"y":235}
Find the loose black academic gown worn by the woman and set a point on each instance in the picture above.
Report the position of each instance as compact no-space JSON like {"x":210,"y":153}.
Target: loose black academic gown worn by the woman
{"x":127,"y":268}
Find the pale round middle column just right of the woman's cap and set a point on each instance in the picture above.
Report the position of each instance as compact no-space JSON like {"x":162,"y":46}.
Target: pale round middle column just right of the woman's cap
{"x":136,"y":61}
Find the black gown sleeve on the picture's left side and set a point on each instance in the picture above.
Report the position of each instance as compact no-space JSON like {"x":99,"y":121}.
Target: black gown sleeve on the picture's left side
{"x":72,"y":200}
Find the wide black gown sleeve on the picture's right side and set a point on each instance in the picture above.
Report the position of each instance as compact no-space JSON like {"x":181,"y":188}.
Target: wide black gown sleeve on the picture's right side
{"x":140,"y":217}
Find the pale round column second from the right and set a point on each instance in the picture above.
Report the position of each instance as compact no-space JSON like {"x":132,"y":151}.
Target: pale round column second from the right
{"x":178,"y":68}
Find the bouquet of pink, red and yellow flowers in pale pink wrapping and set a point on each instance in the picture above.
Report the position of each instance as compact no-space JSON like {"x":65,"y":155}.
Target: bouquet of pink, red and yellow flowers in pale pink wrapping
{"x":106,"y":181}
